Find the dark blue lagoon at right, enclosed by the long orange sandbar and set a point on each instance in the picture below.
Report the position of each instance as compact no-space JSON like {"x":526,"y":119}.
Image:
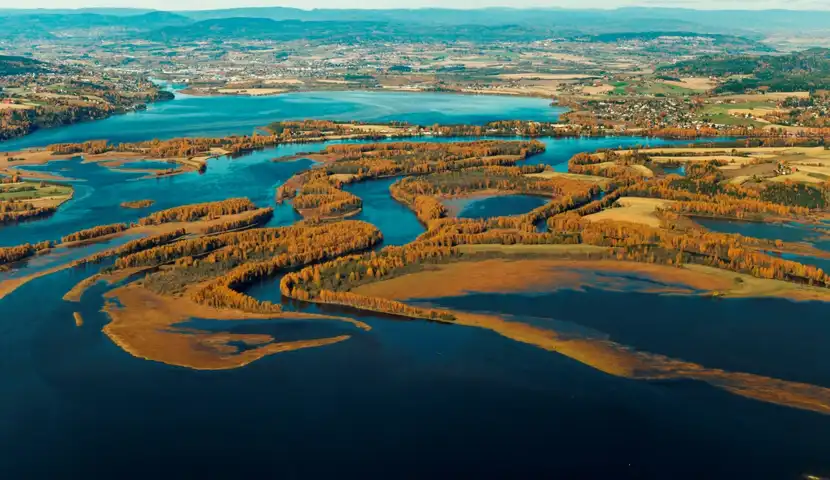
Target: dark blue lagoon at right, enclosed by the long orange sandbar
{"x":743,"y":335}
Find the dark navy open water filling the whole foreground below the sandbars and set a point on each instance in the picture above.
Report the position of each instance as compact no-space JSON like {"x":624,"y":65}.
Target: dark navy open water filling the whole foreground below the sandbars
{"x":410,"y":392}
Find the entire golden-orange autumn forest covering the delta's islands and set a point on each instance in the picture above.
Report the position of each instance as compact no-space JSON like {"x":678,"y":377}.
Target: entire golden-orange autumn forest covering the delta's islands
{"x":324,"y":257}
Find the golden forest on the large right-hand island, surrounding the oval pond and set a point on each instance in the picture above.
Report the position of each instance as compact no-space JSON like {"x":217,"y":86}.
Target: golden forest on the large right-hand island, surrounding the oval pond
{"x":702,"y":192}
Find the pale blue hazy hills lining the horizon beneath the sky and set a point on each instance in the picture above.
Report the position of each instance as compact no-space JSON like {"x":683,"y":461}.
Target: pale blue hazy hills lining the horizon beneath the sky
{"x":740,"y":22}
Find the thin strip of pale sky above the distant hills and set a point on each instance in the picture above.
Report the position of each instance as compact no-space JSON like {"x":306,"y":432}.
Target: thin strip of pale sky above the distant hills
{"x":309,"y":4}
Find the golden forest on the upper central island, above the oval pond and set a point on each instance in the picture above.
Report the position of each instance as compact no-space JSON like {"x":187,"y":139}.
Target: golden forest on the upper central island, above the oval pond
{"x":466,"y":166}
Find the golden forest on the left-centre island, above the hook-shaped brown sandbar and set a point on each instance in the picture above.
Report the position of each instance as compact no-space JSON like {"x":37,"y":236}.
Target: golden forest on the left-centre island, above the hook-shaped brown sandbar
{"x":213,"y":270}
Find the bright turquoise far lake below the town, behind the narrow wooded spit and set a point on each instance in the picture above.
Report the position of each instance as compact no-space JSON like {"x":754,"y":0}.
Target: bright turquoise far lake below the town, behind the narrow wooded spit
{"x":218,"y":116}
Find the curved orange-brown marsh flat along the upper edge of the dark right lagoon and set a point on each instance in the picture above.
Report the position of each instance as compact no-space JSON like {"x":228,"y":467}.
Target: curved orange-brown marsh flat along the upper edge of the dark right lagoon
{"x":566,"y":270}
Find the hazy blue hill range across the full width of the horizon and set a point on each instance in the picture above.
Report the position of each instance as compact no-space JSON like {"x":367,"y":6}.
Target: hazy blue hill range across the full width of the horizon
{"x":502,"y":23}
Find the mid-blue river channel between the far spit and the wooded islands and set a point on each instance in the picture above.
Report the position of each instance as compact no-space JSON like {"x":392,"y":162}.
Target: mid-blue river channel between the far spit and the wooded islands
{"x":100,"y":191}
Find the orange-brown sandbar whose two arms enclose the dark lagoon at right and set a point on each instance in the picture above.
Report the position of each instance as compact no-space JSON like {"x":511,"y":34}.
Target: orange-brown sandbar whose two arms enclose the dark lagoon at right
{"x":607,"y":356}
